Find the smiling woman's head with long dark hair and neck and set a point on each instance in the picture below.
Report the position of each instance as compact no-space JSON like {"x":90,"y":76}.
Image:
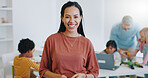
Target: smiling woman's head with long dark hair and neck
{"x":71,"y":19}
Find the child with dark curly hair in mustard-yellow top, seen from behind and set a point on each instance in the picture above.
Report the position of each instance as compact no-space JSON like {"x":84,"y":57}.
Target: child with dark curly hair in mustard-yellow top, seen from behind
{"x":23,"y":64}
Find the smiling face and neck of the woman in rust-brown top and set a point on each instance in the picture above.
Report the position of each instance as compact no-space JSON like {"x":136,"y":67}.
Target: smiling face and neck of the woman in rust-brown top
{"x":71,"y":18}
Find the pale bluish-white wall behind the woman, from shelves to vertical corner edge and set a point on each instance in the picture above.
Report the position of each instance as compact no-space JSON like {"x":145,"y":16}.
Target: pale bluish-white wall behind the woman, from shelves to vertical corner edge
{"x":37,"y":19}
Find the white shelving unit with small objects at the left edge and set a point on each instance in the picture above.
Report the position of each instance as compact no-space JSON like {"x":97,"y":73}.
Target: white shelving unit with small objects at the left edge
{"x":6,"y":29}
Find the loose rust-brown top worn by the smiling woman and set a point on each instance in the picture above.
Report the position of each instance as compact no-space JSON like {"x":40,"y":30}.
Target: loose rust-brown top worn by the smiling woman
{"x":62,"y":58}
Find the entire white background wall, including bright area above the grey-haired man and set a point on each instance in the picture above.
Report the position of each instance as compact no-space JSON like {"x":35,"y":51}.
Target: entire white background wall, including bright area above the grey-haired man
{"x":37,"y":19}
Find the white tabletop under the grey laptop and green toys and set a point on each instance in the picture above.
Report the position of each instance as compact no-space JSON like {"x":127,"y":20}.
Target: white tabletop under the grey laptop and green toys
{"x":123,"y":70}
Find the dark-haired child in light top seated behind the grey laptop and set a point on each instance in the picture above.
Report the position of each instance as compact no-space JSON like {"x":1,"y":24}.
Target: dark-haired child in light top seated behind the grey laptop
{"x":111,"y":48}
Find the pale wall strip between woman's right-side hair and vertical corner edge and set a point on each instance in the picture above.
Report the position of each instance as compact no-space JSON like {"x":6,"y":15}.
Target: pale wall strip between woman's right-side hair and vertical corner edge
{"x":94,"y":22}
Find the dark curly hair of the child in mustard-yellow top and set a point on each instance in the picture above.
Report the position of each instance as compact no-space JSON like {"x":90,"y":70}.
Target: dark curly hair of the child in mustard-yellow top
{"x":25,"y":45}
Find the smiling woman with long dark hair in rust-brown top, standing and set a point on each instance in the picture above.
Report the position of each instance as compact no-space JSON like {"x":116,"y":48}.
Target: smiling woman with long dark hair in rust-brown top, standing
{"x":68,"y":53}
